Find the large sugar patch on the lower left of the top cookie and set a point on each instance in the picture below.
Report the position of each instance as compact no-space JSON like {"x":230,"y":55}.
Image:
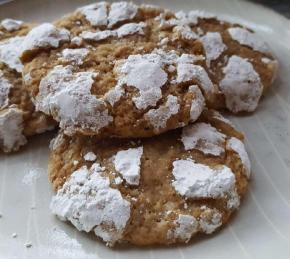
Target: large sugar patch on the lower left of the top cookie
{"x":67,"y":96}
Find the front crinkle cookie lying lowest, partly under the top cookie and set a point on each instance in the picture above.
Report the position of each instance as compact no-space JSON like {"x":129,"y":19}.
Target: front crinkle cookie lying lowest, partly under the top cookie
{"x":160,"y":190}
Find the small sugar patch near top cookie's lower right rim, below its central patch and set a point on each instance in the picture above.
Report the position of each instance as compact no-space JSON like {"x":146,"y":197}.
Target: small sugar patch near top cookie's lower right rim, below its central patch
{"x":159,"y":117}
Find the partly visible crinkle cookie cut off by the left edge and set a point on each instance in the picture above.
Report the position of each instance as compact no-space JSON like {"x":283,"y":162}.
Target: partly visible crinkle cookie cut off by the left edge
{"x":18,"y":118}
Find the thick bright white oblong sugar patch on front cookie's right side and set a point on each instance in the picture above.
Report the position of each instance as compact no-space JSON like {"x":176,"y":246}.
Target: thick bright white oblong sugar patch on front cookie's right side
{"x":194,"y":180}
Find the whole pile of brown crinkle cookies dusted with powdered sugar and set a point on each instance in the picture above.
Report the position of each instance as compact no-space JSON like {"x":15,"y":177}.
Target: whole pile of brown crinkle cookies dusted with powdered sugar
{"x":142,"y":154}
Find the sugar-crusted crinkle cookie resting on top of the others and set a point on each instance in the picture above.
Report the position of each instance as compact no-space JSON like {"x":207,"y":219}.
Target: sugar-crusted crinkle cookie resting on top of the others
{"x":104,"y":70}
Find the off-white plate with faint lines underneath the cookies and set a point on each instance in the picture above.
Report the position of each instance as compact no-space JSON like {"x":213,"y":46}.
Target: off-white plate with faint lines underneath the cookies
{"x":261,"y":229}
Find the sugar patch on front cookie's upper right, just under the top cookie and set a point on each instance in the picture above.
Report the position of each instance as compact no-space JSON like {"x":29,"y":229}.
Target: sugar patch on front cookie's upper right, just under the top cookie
{"x":203,"y":137}
